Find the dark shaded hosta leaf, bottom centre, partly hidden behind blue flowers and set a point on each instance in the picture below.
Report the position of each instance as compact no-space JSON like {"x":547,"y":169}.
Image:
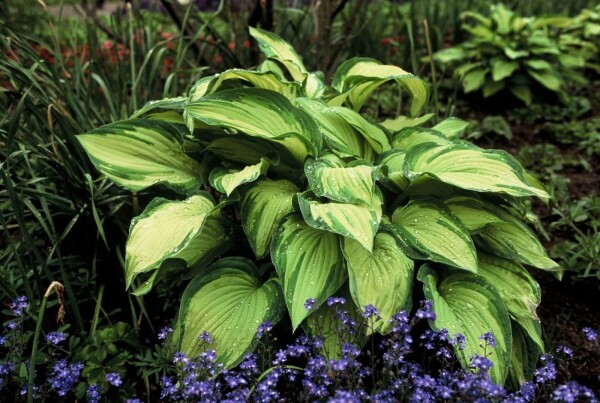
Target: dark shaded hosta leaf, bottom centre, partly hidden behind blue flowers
{"x":326,"y":321}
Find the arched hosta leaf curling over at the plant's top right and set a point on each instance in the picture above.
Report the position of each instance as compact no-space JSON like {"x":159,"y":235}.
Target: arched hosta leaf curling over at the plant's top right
{"x":357,"y":78}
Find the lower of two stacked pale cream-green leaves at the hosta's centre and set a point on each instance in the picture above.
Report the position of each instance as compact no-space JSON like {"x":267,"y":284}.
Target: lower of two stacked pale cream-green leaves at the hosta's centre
{"x":359,"y":222}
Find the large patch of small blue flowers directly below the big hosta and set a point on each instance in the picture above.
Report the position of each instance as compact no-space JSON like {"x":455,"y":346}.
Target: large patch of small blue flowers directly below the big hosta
{"x":302,"y":371}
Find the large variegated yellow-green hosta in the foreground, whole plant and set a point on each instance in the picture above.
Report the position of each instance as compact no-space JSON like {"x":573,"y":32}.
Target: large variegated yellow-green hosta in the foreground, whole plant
{"x":287,"y":195}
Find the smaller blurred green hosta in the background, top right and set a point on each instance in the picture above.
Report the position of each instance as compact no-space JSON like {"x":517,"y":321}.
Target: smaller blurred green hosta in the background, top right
{"x":522,"y":55}
